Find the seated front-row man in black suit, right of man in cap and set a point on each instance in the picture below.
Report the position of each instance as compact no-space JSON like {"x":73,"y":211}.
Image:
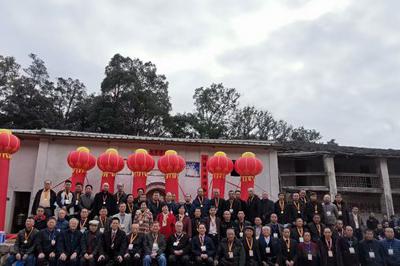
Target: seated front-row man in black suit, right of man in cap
{"x":113,"y":246}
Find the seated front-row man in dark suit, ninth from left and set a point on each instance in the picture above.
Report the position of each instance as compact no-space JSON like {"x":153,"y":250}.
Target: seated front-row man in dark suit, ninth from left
{"x":203,"y":247}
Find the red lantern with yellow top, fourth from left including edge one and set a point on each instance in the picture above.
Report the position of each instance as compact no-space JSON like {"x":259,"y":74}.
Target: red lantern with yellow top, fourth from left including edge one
{"x":140,"y":163}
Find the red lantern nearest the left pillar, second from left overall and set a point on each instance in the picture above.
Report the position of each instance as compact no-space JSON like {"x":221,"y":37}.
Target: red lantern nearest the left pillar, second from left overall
{"x":80,"y":161}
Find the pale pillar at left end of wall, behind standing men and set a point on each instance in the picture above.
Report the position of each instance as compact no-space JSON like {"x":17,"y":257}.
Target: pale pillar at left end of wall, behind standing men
{"x":40,"y":169}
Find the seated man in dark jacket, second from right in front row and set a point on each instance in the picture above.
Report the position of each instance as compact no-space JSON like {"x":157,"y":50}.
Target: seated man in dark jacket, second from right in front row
{"x":371,"y":251}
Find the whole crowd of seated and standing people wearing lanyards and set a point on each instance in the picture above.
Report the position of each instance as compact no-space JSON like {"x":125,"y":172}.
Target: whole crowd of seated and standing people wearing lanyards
{"x":82,"y":228}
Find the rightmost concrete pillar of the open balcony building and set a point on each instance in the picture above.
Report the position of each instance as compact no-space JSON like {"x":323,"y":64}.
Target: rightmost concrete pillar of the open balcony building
{"x":387,"y":200}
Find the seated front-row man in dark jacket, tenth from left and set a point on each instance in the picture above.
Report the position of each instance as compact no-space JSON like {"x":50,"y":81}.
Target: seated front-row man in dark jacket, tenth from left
{"x":230,"y":251}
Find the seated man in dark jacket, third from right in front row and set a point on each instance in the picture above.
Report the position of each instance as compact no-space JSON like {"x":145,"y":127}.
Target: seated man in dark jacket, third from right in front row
{"x":347,"y":249}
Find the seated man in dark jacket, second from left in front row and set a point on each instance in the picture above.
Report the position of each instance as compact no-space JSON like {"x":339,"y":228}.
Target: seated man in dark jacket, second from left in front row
{"x":46,"y":241}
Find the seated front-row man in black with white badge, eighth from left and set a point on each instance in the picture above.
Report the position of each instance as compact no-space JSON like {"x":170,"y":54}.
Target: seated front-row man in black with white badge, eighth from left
{"x":178,"y":246}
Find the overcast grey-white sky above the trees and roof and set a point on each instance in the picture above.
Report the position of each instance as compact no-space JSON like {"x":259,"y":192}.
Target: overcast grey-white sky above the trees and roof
{"x":329,"y":65}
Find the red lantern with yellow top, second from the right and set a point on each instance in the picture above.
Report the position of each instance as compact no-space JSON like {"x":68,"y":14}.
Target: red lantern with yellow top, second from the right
{"x":220,"y":166}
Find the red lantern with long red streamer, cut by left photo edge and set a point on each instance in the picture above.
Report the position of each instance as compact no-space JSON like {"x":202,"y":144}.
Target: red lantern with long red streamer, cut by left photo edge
{"x":9,"y":144}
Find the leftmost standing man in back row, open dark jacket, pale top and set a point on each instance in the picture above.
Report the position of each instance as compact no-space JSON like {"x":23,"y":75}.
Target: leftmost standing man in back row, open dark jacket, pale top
{"x":45,"y":198}
